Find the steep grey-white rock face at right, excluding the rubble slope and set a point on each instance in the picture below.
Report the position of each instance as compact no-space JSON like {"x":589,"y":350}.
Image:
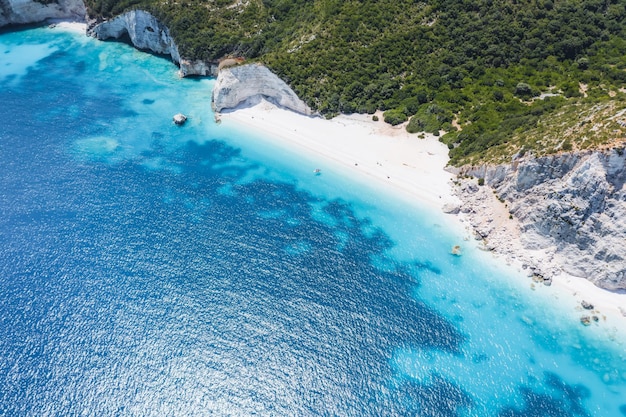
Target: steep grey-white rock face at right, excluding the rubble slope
{"x":573,"y":205}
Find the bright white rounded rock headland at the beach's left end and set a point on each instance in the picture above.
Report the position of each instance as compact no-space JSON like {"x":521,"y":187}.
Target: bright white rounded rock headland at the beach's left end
{"x":249,"y":83}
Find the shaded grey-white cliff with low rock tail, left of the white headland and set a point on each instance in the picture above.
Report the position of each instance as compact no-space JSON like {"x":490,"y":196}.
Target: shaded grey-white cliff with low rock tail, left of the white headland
{"x":147,"y":33}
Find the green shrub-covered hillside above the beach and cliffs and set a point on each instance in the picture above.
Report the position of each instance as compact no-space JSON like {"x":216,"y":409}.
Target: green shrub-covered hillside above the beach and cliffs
{"x":487,"y":72}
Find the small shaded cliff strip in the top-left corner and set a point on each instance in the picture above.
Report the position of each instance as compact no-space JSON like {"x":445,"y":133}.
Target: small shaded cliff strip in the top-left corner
{"x":14,"y":12}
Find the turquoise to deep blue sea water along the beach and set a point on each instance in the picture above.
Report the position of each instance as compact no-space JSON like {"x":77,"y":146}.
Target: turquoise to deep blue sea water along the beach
{"x":154,"y":270}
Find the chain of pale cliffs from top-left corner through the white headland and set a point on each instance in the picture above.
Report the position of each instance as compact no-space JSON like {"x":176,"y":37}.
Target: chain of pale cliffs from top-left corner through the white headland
{"x":235,"y":85}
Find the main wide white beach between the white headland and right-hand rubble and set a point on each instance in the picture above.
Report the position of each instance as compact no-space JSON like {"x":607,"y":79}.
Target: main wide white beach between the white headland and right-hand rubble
{"x":374,"y":149}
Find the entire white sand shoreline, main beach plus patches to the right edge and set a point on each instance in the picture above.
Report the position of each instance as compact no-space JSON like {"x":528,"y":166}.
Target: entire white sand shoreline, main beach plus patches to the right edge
{"x":415,"y":167}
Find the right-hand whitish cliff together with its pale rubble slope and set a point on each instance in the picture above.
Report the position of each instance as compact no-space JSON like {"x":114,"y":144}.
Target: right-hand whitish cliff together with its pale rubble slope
{"x":568,"y":210}
